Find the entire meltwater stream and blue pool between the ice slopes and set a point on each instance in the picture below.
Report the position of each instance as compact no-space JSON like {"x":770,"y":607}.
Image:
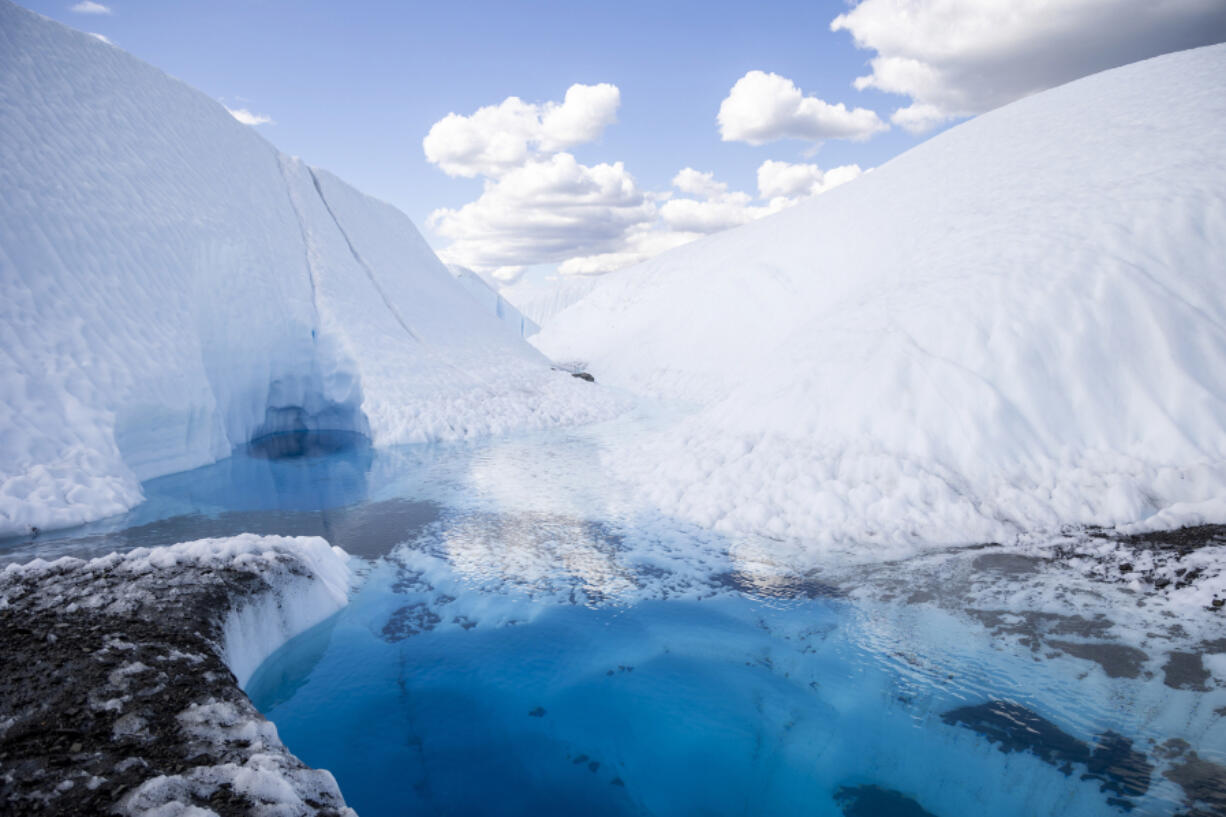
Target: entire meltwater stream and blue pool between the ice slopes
{"x":528,"y":640}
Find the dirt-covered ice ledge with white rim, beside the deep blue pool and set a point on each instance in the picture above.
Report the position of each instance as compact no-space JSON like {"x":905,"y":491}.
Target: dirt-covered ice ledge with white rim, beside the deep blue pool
{"x":121,"y":689}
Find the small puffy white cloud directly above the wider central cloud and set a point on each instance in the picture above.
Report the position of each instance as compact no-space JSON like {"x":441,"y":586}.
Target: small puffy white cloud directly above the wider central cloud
{"x":497,"y":139}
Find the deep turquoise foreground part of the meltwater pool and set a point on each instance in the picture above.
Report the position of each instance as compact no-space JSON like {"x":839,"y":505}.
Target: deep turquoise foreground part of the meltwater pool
{"x":444,"y":691}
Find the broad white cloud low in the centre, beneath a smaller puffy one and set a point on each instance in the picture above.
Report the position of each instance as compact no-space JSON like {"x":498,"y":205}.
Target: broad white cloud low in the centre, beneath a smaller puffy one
{"x":547,"y":212}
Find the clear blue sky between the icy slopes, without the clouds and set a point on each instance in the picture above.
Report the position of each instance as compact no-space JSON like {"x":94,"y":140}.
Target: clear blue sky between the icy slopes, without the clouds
{"x":355,"y":88}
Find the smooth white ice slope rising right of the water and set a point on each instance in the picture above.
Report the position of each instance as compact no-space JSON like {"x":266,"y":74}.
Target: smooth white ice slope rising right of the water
{"x":1017,"y":326}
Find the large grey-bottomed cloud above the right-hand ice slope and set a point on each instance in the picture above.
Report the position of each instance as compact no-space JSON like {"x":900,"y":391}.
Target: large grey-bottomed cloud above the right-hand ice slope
{"x":958,"y":58}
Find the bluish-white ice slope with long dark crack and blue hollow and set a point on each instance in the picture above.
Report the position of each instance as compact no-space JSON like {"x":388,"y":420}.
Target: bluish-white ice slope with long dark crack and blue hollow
{"x":171,"y":286}
